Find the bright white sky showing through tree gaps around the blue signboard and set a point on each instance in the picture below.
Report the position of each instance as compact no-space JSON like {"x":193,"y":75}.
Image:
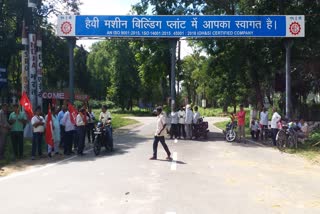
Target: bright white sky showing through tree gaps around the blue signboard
{"x":114,"y":7}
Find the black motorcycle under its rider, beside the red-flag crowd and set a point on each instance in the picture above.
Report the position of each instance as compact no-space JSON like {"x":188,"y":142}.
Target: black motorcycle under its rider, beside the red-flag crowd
{"x":103,"y":138}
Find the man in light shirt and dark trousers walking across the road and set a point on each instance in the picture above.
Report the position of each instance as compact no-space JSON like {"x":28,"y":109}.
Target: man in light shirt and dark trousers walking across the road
{"x":159,"y":135}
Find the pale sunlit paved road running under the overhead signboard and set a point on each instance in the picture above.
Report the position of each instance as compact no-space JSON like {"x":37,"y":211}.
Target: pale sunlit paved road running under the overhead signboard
{"x":207,"y":177}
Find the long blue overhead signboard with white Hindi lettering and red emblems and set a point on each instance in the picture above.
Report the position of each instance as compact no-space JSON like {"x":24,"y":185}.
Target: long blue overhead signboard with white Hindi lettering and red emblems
{"x":181,"y":26}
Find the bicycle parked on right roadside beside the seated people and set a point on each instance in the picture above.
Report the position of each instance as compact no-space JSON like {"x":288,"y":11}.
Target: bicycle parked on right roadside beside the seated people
{"x":287,"y":137}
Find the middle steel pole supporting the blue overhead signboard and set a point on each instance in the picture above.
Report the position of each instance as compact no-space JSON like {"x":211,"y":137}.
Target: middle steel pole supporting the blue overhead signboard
{"x":173,"y":43}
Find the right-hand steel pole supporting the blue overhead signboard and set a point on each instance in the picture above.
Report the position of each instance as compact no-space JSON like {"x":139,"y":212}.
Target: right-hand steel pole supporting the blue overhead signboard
{"x":288,"y":46}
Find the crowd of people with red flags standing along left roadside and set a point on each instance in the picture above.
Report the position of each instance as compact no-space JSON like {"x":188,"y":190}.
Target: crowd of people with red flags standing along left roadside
{"x":69,"y":130}
